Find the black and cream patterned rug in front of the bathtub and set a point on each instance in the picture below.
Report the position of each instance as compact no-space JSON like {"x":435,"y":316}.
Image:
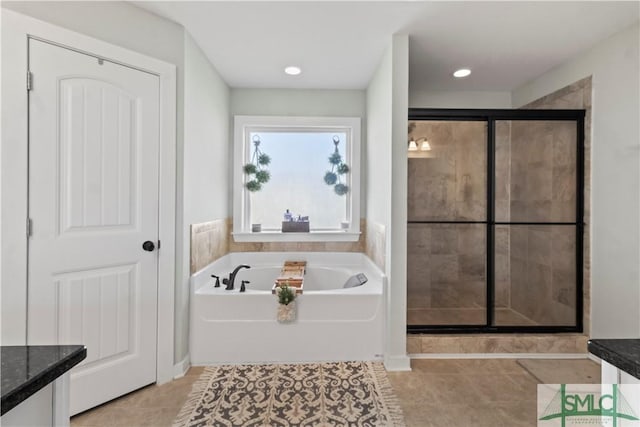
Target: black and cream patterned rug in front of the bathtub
{"x":288,"y":395}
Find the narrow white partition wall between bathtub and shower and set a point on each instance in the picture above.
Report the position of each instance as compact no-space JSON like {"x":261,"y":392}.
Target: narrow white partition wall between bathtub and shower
{"x":386,"y":159}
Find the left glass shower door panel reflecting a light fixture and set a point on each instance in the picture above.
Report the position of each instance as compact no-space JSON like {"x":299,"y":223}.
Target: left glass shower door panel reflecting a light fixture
{"x":447,"y":215}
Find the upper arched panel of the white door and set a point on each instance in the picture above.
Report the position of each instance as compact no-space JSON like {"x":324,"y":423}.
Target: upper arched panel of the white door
{"x":98,"y":162}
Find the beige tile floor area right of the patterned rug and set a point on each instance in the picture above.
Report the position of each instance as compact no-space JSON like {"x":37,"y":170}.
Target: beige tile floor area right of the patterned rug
{"x":479,"y":393}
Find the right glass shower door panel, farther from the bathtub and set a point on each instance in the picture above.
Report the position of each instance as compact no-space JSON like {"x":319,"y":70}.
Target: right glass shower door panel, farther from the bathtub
{"x":536,"y":225}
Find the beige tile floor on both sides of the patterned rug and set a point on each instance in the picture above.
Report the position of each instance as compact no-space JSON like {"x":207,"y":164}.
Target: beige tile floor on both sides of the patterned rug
{"x":437,"y":392}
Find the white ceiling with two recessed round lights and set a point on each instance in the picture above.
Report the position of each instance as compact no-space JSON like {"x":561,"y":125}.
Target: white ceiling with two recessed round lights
{"x":339,"y":44}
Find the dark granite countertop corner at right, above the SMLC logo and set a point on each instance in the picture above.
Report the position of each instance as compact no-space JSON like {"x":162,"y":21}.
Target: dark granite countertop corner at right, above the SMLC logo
{"x":622,"y":353}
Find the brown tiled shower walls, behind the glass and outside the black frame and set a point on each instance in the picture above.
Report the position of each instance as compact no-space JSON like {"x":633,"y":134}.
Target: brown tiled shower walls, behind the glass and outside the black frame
{"x":535,"y":182}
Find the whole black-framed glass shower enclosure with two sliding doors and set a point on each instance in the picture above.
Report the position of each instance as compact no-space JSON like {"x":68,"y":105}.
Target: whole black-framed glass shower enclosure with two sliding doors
{"x":495,"y":220}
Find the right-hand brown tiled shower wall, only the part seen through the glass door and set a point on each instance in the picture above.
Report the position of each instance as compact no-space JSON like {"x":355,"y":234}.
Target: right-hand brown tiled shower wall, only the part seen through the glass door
{"x":543,"y":189}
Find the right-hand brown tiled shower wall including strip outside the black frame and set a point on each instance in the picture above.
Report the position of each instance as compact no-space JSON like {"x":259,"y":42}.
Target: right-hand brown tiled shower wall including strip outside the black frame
{"x":551,"y":197}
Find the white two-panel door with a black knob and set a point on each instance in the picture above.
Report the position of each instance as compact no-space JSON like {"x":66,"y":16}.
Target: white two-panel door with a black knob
{"x":93,"y":201}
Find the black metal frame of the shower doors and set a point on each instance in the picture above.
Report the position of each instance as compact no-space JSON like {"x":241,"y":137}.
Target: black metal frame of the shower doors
{"x":490,"y":116}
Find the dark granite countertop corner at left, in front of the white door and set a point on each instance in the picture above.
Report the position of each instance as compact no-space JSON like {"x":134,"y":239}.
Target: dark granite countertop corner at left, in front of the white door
{"x":27,"y":369}
